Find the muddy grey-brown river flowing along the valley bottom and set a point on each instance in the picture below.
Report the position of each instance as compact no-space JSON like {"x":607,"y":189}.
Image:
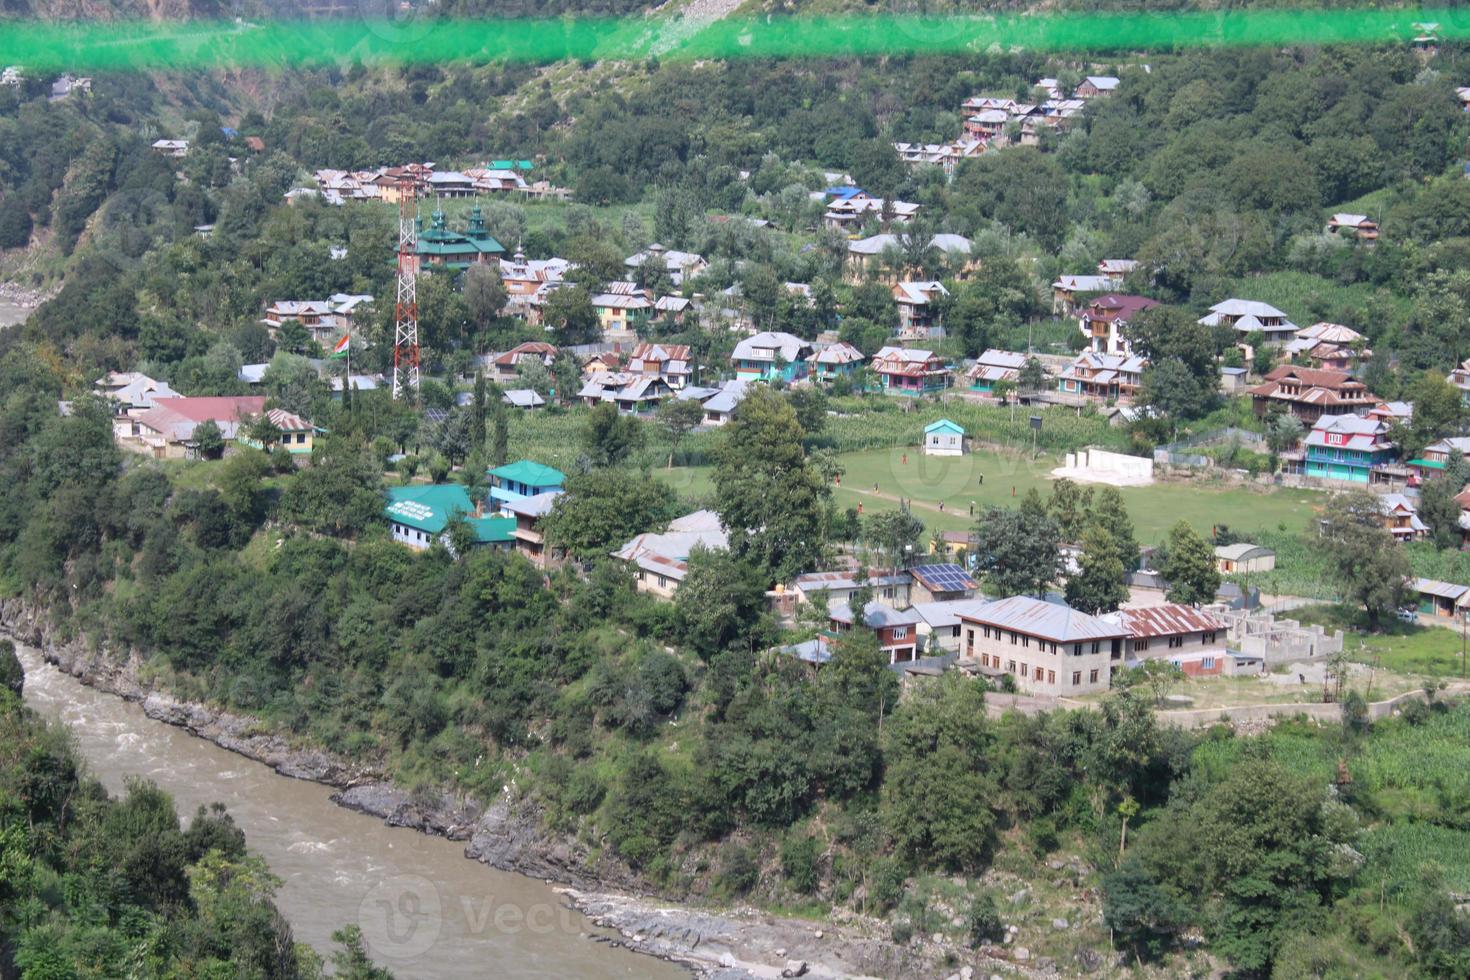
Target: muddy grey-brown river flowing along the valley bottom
{"x":426,"y":910}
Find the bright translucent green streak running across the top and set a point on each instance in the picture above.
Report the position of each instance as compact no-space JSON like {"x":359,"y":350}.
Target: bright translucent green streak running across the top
{"x":383,"y":42}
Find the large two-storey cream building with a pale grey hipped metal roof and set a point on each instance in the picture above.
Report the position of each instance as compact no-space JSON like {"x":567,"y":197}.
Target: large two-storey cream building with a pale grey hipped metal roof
{"x":1047,"y":649}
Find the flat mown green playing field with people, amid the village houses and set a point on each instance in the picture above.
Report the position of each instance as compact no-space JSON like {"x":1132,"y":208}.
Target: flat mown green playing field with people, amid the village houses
{"x":958,"y":481}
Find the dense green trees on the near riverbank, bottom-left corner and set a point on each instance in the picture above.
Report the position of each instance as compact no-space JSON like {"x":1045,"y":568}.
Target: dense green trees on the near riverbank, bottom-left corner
{"x":130,"y":872}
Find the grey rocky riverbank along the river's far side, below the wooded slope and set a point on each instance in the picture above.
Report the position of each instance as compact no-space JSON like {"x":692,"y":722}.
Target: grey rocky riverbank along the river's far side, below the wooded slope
{"x":509,"y":835}
